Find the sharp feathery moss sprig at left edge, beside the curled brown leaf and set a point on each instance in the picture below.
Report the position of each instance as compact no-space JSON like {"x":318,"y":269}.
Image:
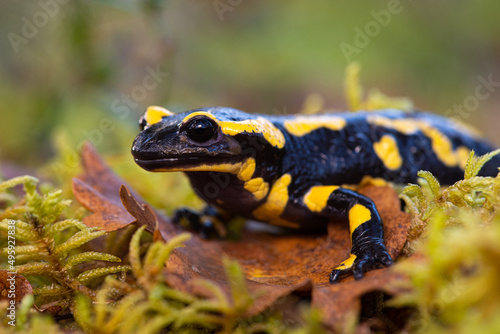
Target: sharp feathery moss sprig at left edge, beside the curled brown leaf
{"x":47,"y":246}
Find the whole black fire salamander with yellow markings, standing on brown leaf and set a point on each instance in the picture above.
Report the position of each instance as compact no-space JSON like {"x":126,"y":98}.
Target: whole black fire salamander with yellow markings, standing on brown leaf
{"x":291,"y":171}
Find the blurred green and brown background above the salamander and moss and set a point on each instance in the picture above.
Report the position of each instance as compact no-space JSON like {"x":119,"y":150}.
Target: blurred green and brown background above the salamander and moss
{"x":81,"y":70}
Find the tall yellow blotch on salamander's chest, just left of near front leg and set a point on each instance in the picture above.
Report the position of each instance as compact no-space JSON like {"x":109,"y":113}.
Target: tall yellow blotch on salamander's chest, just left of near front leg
{"x":276,"y":201}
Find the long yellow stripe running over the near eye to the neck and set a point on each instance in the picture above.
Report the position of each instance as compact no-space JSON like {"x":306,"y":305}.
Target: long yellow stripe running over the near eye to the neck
{"x":260,"y":125}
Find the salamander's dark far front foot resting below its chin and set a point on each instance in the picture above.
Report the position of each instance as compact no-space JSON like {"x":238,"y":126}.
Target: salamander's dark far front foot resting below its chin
{"x":210,"y":223}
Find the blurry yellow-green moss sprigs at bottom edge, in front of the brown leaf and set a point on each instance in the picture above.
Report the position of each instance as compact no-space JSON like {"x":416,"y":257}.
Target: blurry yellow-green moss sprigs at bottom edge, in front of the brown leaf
{"x":156,"y":306}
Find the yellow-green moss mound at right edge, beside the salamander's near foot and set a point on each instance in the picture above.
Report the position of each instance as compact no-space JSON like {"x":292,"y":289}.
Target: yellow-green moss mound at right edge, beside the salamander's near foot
{"x":456,"y":232}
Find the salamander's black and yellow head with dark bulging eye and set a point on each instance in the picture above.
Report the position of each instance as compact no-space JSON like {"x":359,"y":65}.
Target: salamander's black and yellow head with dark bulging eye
{"x":208,"y":139}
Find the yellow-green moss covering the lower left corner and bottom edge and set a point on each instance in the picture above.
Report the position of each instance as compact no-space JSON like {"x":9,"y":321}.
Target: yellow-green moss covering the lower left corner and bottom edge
{"x":70,"y":276}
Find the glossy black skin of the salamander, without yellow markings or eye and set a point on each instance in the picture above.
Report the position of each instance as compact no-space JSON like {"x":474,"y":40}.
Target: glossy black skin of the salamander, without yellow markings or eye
{"x":322,"y":157}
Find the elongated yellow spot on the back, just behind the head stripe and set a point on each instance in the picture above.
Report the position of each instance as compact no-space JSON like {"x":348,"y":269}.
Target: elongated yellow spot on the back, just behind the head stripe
{"x":302,"y":125}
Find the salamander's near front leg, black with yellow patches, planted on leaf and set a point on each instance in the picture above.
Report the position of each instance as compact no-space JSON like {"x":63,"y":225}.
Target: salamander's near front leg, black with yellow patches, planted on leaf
{"x":365,"y":226}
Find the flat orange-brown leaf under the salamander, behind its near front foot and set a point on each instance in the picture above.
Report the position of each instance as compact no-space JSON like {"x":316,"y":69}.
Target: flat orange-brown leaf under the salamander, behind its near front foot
{"x":291,"y":258}
